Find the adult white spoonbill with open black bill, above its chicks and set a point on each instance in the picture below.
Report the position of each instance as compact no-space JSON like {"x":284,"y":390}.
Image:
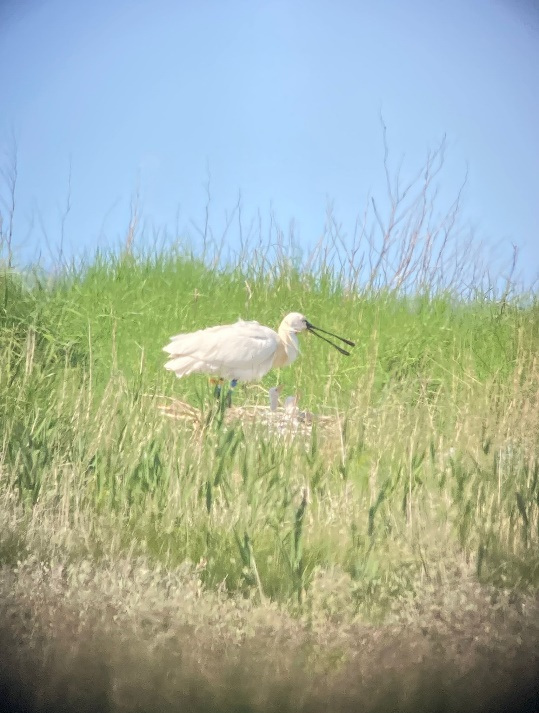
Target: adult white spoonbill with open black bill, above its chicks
{"x":244,"y":351}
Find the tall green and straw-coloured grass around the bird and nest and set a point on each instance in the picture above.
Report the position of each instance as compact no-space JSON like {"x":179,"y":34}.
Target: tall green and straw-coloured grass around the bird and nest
{"x":433,"y":455}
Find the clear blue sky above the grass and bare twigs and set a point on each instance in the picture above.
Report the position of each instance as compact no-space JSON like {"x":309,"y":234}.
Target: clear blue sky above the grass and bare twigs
{"x":279,"y":100}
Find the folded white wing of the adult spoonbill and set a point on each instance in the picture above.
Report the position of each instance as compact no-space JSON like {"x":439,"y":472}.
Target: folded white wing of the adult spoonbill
{"x":243,"y":350}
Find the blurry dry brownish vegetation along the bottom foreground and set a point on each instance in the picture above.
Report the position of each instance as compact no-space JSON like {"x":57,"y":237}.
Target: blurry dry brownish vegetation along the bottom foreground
{"x":117,"y":637}
